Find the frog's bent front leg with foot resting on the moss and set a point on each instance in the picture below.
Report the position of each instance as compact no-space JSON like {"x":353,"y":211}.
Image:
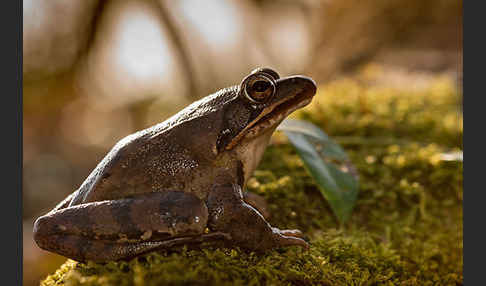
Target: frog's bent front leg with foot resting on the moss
{"x":229,"y":213}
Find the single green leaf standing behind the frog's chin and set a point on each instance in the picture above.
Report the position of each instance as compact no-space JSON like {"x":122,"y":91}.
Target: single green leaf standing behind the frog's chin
{"x":328,"y":164}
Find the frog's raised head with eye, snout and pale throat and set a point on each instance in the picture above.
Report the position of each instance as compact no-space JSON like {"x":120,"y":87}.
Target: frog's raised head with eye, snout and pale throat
{"x":261,"y":102}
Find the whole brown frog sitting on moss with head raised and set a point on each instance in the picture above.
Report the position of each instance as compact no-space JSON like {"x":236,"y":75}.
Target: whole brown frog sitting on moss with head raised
{"x":181,"y":181}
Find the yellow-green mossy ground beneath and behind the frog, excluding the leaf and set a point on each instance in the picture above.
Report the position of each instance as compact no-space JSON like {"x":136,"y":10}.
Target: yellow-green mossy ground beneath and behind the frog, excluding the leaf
{"x":406,"y":228}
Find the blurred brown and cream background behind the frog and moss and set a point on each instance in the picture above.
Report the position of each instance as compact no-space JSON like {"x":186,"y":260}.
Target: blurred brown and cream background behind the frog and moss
{"x":95,"y":71}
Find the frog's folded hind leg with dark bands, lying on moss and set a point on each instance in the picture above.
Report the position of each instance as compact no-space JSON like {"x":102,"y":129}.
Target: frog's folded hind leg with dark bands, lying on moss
{"x":124,"y":228}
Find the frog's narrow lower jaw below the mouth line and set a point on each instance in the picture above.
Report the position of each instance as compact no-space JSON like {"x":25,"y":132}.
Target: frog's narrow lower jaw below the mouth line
{"x":271,"y":117}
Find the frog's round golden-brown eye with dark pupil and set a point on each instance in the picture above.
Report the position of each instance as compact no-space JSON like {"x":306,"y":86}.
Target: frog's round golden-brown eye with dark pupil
{"x":258,"y":88}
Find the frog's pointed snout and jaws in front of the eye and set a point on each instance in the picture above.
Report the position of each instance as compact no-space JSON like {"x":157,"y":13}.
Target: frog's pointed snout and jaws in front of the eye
{"x":292,"y":93}
